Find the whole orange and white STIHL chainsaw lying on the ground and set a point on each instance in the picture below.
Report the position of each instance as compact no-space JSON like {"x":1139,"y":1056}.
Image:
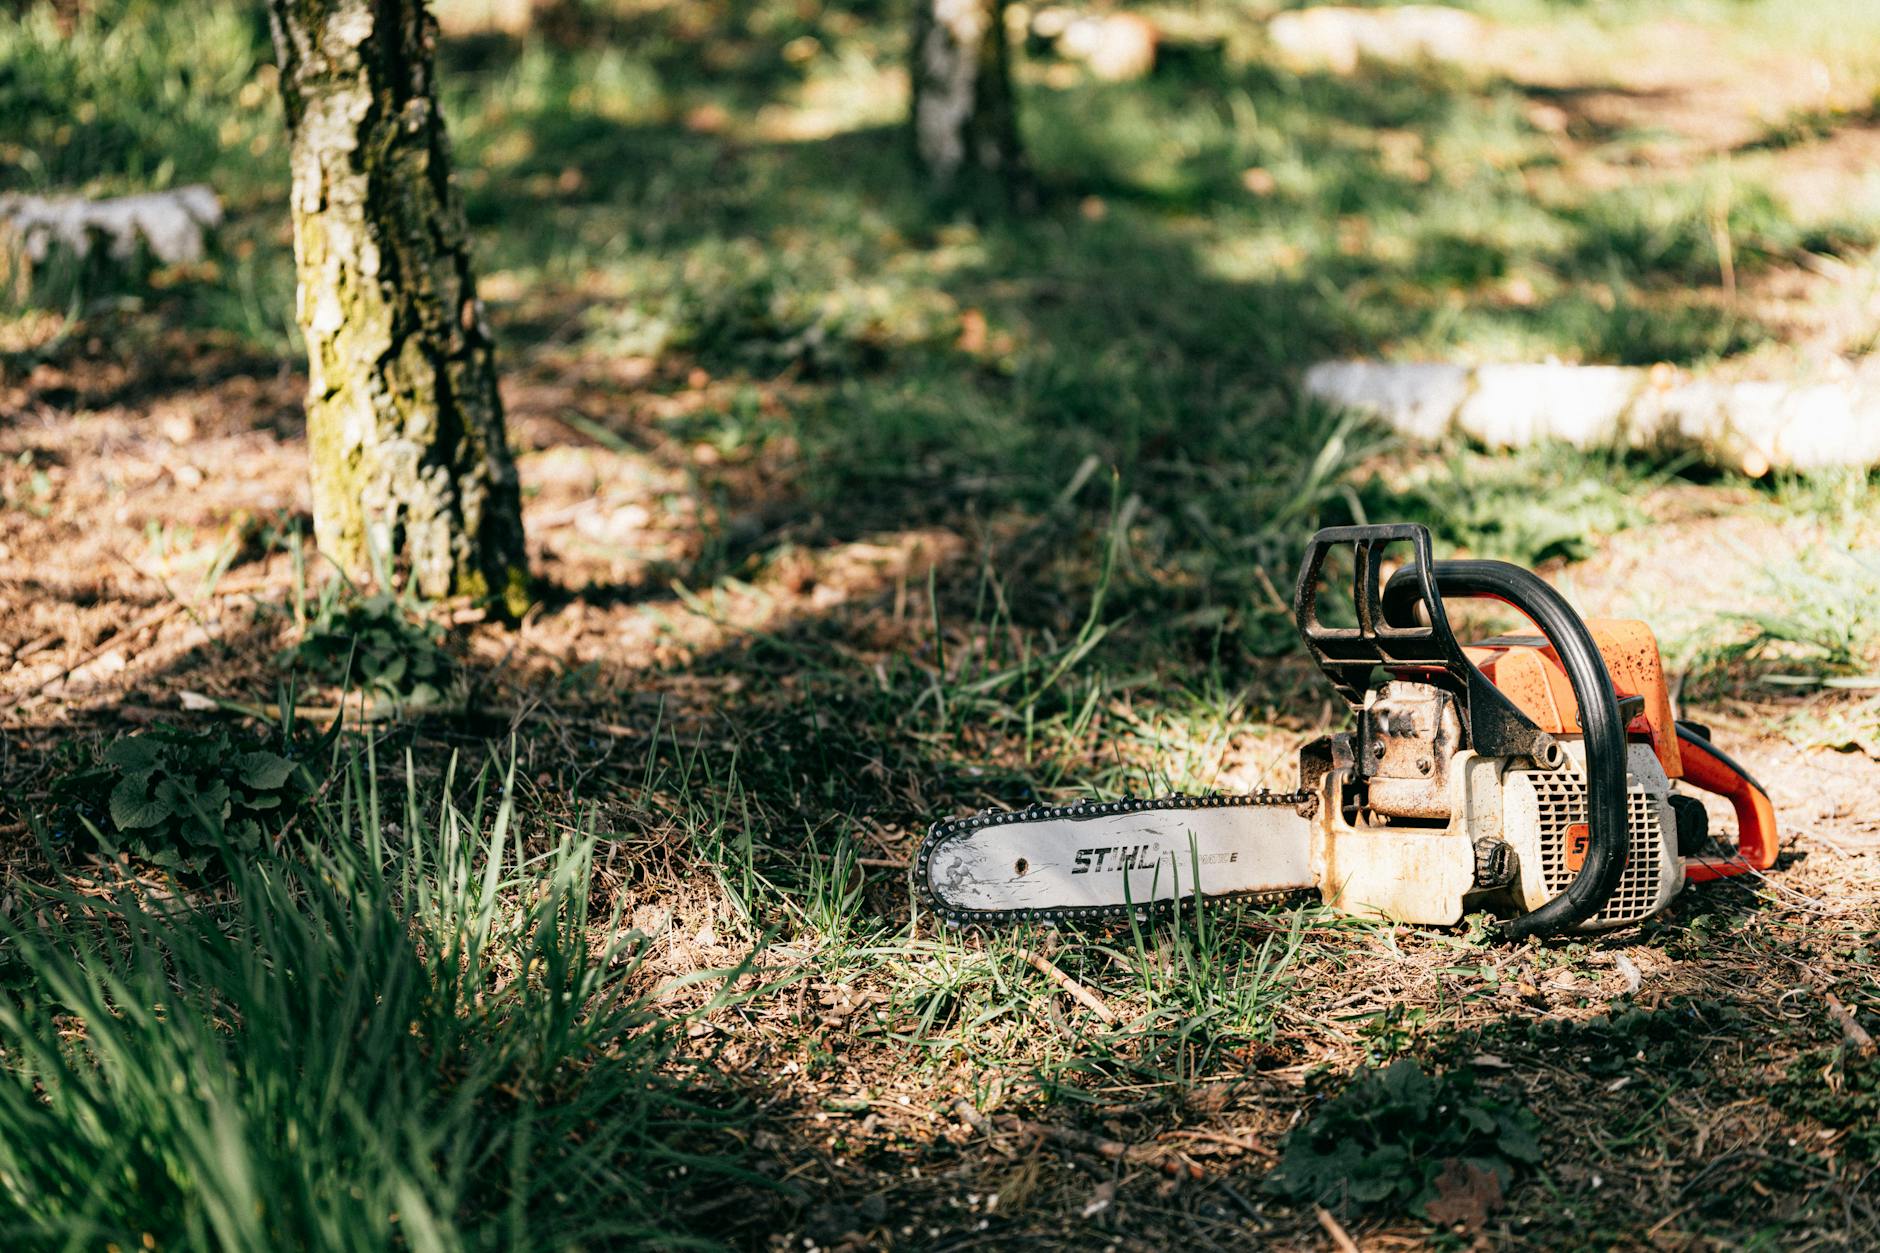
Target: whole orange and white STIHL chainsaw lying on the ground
{"x":1531,"y":778}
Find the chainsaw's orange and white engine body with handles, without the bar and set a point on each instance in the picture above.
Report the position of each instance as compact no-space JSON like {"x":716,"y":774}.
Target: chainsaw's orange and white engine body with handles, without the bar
{"x":1531,"y":776}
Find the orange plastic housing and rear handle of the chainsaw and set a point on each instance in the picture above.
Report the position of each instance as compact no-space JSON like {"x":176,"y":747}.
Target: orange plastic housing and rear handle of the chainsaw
{"x":1529,"y":673}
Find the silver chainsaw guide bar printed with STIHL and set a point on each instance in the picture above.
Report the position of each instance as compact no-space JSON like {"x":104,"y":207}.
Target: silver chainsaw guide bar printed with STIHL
{"x":1189,"y":836}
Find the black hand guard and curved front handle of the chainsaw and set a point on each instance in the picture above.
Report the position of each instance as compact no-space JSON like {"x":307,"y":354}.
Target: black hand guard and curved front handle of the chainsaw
{"x":1388,"y":635}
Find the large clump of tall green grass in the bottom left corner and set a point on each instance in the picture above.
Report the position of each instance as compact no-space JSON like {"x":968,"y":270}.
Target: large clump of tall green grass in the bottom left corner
{"x":407,"y":1038}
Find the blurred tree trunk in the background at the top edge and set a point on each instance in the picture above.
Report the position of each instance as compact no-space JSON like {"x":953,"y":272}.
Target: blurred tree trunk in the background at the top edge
{"x":965,"y":121}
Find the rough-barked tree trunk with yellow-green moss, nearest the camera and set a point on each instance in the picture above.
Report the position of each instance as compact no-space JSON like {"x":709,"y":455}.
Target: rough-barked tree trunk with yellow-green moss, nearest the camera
{"x":411,"y":469}
